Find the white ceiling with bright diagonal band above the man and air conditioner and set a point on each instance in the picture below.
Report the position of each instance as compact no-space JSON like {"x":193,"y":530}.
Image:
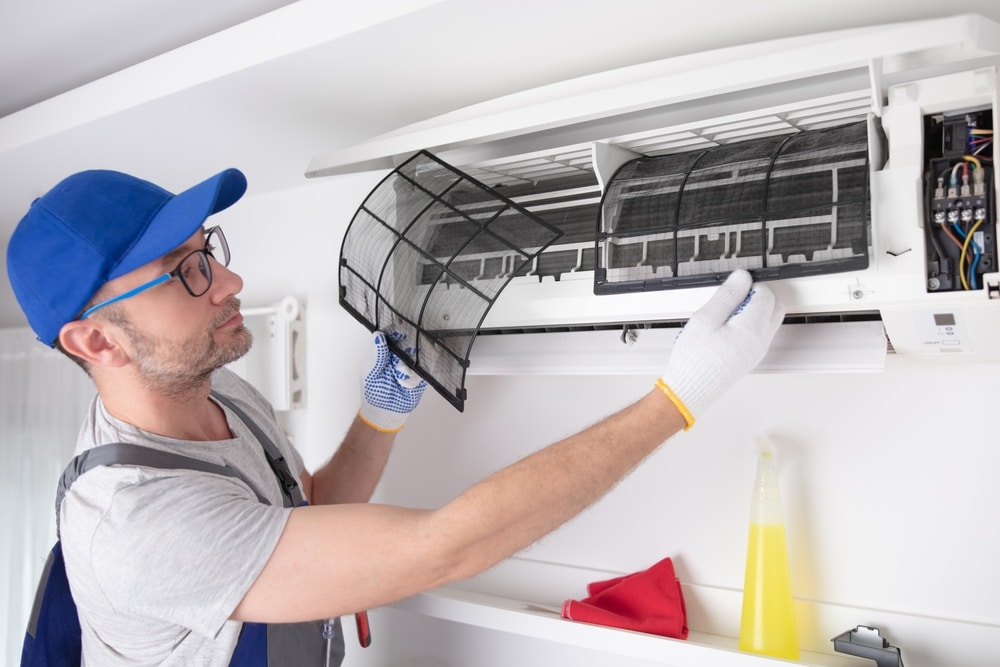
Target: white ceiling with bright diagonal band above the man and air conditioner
{"x":174,"y":90}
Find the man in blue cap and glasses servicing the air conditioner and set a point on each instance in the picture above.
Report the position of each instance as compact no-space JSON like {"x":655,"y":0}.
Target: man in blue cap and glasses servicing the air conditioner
{"x":168,"y":566}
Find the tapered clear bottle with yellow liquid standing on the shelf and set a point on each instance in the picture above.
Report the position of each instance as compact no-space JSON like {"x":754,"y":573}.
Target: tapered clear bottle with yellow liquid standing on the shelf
{"x":767,"y":625}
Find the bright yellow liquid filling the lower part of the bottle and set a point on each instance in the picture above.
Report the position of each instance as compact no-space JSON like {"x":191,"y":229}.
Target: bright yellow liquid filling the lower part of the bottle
{"x":767,"y":625}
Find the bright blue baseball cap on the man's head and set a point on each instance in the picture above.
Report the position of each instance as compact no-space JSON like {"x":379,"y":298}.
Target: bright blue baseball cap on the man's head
{"x":95,"y":226}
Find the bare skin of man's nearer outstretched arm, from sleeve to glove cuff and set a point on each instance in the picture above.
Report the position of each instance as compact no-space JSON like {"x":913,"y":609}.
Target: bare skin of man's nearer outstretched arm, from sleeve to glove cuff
{"x":336,"y":559}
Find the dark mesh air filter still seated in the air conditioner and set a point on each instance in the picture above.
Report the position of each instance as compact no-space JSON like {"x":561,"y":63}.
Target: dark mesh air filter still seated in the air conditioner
{"x":779,"y":207}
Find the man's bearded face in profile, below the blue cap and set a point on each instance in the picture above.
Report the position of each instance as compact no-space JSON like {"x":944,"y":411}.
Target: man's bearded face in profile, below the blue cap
{"x":178,"y":340}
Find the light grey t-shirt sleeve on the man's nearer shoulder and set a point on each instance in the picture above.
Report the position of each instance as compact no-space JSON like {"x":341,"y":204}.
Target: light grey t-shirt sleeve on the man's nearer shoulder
{"x":178,"y":546}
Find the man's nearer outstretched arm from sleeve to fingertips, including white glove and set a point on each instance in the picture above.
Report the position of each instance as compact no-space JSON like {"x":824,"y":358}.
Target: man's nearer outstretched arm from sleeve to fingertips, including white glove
{"x":335,"y":559}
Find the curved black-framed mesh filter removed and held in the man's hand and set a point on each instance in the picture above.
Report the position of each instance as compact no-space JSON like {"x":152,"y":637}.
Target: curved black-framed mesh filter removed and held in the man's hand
{"x":425,"y":257}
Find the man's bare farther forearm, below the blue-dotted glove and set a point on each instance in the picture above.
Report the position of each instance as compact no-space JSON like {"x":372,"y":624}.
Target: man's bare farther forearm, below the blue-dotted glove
{"x":355,"y":469}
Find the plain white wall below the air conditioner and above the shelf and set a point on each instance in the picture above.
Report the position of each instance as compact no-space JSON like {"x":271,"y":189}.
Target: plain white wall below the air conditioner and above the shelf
{"x":889,"y":487}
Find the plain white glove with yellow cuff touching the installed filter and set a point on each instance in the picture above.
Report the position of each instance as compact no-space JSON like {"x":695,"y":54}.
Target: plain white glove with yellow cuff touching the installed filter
{"x":723,"y":341}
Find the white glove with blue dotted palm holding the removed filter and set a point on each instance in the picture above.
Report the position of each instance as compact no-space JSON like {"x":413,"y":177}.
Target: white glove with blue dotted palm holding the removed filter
{"x":389,"y":389}
